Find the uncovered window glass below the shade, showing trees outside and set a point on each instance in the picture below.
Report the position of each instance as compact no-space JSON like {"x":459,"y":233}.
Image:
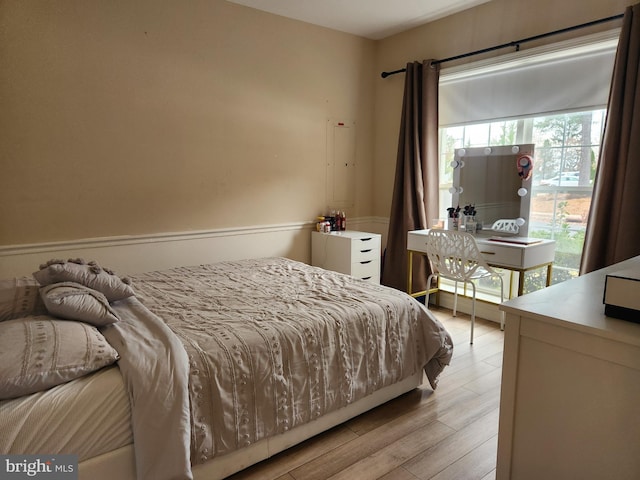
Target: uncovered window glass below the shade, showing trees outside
{"x":566,"y":152}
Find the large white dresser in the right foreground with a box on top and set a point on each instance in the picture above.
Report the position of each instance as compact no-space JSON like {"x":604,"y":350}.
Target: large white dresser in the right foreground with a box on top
{"x":570,"y":398}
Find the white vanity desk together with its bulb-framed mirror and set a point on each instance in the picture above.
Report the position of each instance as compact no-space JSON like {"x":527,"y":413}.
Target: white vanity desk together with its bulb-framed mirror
{"x":496,"y":182}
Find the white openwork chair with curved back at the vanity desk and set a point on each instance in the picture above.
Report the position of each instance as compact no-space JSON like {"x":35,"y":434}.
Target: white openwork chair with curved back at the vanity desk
{"x":455,"y":256}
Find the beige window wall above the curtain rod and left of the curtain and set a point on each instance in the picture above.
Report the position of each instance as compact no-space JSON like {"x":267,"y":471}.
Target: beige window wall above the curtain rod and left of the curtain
{"x":492,"y":23}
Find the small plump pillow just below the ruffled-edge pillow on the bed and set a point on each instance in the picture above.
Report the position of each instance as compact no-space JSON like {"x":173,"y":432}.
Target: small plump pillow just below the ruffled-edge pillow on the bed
{"x":69,"y":300}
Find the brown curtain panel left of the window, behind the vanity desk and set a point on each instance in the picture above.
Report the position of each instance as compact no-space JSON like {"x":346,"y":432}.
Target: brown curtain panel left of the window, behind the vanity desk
{"x":415,"y":191}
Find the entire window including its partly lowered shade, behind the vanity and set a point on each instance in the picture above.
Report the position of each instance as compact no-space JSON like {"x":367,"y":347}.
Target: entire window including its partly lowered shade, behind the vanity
{"x":554,"y":97}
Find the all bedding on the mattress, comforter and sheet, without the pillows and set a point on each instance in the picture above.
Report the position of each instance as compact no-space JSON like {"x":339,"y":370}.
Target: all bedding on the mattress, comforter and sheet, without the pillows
{"x":253,"y":349}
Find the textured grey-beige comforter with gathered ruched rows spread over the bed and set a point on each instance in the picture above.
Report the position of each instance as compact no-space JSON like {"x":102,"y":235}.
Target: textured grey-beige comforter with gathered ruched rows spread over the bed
{"x":272,"y":344}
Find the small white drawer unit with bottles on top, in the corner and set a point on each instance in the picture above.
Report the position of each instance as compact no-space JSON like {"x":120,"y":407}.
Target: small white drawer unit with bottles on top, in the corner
{"x":350,"y":252}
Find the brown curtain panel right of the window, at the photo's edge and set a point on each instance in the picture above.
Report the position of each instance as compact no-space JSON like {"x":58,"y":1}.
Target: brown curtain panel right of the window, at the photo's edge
{"x":613,"y":230}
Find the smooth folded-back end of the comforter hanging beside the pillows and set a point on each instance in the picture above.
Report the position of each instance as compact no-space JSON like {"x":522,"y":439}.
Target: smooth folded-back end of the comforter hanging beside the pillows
{"x":155,"y":371}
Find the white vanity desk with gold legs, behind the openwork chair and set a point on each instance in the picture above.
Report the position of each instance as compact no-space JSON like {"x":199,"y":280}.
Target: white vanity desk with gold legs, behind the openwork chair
{"x":517,"y":257}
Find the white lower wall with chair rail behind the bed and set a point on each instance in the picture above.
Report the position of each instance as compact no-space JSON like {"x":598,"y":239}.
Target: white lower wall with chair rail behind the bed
{"x":143,"y":253}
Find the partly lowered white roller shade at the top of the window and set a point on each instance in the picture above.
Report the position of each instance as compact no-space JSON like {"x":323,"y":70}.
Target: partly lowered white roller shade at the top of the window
{"x":567,"y":76}
